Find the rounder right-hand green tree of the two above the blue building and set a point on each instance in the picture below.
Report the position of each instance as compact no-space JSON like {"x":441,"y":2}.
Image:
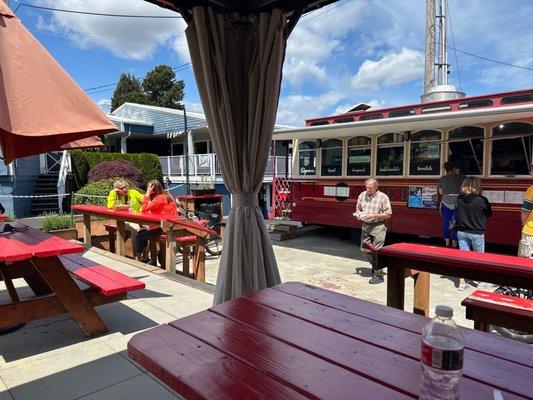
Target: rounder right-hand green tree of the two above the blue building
{"x":162,"y":89}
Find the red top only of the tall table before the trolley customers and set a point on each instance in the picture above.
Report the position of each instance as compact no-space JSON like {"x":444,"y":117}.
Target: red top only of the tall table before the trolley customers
{"x":446,"y":256}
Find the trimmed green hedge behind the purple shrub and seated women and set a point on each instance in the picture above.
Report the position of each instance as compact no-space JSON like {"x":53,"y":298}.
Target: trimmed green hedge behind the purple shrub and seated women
{"x":83,"y":161}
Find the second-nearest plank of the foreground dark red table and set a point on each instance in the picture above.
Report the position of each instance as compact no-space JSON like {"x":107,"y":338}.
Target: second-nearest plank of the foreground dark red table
{"x":308,"y":374}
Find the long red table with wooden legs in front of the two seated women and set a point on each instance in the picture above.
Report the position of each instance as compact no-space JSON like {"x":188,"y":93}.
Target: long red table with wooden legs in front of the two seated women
{"x":174,"y":226}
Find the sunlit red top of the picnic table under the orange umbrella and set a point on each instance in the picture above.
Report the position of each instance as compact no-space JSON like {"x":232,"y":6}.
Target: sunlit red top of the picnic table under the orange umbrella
{"x":29,"y":242}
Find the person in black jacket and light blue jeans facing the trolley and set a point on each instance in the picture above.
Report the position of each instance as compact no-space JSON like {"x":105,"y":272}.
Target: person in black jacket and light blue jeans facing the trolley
{"x":473,"y":211}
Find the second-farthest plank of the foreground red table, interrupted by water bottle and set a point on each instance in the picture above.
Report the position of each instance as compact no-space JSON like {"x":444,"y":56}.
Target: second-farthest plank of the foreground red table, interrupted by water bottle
{"x":512,"y":377}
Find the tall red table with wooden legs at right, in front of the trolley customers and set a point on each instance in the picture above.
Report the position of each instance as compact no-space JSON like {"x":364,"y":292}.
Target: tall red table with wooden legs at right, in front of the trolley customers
{"x":400,"y":258}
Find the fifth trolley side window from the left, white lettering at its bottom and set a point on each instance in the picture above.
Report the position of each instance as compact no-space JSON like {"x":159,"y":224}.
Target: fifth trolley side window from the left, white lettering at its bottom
{"x":425,"y":153}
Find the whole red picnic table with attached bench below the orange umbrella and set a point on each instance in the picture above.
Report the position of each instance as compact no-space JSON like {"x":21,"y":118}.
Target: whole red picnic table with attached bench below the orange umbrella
{"x":48,"y":263}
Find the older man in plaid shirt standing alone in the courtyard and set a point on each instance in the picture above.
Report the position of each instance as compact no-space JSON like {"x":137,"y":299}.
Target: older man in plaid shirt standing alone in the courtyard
{"x":373,"y":208}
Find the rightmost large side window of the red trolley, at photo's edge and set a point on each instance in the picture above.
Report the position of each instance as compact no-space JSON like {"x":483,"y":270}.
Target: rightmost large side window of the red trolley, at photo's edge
{"x":511,"y":149}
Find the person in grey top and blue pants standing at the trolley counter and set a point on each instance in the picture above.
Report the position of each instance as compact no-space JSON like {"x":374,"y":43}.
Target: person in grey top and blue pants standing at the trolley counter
{"x":449,"y":188}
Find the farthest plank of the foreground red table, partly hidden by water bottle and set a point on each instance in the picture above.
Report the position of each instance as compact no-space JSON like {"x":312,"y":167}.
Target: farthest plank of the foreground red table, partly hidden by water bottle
{"x":485,"y":343}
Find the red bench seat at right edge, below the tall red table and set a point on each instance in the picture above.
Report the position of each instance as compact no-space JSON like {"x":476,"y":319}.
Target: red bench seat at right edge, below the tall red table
{"x":486,"y":308}
